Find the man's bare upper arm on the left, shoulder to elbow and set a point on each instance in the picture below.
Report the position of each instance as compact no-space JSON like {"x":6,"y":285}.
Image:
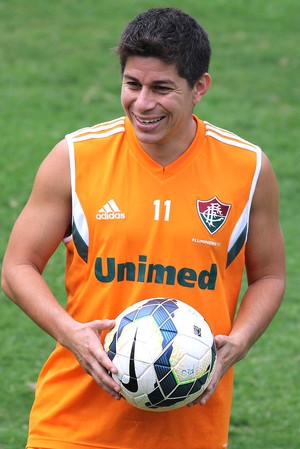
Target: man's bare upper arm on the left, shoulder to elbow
{"x":46,"y":217}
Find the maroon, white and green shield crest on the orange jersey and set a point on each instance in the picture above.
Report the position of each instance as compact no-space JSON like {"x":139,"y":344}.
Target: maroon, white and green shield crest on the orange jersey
{"x":213,"y":213}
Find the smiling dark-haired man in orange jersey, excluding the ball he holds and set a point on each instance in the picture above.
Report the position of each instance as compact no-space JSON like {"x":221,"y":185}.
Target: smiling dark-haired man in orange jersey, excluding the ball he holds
{"x":155,"y":204}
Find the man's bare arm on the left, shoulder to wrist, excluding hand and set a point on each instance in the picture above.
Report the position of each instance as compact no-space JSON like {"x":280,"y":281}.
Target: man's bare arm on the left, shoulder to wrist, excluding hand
{"x":35,"y":236}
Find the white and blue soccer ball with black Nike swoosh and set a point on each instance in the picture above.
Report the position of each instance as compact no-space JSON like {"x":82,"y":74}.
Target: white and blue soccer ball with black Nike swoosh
{"x":164,"y":351}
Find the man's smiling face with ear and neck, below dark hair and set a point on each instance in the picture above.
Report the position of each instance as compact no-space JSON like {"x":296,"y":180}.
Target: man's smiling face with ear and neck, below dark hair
{"x":159,"y":103}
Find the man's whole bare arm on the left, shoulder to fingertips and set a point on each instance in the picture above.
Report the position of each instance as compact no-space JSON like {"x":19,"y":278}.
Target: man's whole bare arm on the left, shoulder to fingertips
{"x":36,"y":235}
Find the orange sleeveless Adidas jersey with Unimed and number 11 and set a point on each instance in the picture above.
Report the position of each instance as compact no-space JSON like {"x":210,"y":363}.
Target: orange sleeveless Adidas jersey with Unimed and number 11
{"x":142,"y":231}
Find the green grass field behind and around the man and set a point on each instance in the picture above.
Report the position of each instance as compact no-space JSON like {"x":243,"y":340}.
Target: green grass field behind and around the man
{"x":58,"y":73}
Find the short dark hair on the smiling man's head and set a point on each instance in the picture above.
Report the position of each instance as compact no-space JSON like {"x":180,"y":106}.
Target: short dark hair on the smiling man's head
{"x":170,"y":35}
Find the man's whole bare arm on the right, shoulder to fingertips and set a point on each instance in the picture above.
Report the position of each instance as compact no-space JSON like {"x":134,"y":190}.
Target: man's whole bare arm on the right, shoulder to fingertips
{"x":265,"y":264}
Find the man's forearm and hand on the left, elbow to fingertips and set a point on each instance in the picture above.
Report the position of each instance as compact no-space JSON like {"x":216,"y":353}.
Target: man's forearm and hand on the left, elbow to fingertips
{"x":26,"y":287}
